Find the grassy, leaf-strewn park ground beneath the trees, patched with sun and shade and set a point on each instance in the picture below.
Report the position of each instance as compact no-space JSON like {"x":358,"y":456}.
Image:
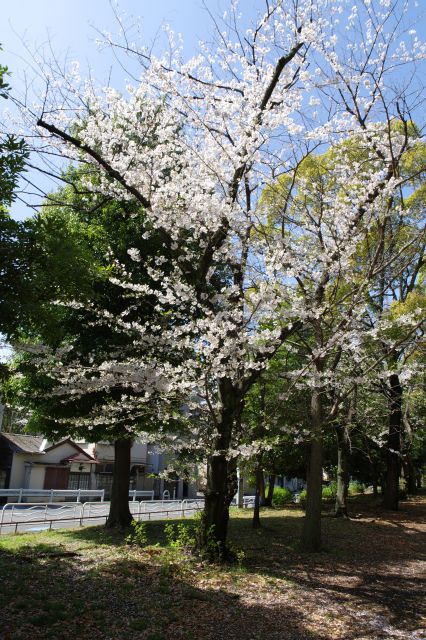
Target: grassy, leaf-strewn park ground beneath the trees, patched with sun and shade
{"x":367,"y":583}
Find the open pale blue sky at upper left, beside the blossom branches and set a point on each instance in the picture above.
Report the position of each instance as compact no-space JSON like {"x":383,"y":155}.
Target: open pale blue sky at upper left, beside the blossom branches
{"x":71,"y":26}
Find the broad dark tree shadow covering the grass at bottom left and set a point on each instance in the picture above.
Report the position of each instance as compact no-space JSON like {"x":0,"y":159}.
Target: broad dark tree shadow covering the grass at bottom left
{"x":48,"y":595}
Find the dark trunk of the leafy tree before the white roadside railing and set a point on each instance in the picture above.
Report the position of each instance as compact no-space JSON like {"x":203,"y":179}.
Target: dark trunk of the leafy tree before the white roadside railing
{"x":119,"y":513}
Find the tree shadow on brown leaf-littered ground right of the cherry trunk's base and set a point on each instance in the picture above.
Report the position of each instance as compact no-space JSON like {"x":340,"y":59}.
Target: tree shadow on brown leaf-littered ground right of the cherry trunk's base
{"x":375,"y":566}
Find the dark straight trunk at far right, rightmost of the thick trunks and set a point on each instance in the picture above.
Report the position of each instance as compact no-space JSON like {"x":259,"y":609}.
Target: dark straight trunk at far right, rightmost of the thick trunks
{"x":393,"y":464}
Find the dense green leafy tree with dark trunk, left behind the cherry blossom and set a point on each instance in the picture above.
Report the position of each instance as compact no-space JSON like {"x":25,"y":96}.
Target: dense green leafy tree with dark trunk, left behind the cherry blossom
{"x":77,"y":246}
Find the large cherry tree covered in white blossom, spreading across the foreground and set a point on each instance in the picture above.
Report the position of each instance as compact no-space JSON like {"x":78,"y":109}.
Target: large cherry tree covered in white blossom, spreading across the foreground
{"x":243,"y":112}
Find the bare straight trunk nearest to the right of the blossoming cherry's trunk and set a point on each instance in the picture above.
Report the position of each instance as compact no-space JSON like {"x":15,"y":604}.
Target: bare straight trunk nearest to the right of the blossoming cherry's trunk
{"x":311,"y":533}
